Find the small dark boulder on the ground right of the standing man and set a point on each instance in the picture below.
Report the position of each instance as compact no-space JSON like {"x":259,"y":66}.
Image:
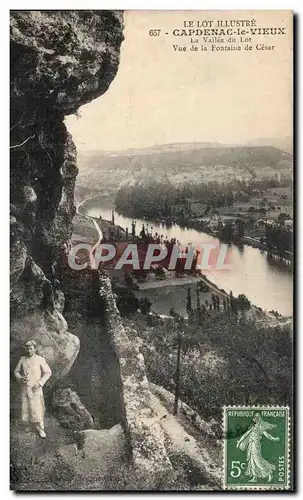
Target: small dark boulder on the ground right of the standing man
{"x":69,"y":410}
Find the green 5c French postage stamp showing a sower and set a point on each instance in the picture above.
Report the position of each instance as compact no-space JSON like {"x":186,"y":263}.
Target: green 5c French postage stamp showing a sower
{"x":256,"y":447}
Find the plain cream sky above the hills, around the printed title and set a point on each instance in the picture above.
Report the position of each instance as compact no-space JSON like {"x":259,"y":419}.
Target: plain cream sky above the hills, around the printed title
{"x":162,"y":96}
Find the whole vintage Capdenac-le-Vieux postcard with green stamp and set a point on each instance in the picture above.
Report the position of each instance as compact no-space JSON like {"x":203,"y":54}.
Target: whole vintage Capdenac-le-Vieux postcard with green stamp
{"x":151,"y":254}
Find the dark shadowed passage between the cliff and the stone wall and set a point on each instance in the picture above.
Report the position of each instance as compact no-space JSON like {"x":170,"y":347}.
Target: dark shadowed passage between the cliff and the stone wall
{"x":95,"y":374}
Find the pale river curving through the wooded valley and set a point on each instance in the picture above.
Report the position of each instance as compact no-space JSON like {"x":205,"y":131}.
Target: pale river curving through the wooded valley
{"x":267,"y":283}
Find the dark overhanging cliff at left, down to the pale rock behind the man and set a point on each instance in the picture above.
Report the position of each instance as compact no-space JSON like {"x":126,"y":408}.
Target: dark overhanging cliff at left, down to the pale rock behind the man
{"x":59,"y":61}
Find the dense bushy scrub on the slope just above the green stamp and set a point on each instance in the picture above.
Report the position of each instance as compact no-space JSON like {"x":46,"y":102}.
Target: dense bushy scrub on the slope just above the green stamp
{"x":225,"y":360}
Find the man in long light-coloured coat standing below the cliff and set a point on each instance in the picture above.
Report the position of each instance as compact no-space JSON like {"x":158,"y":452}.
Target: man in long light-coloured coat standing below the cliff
{"x":32,"y":372}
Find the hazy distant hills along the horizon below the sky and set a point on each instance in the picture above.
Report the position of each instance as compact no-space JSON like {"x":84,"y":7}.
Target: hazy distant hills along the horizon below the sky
{"x":191,"y":162}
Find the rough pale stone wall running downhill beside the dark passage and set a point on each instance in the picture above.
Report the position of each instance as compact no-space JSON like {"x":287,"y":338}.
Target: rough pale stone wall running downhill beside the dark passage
{"x":144,"y":434}
